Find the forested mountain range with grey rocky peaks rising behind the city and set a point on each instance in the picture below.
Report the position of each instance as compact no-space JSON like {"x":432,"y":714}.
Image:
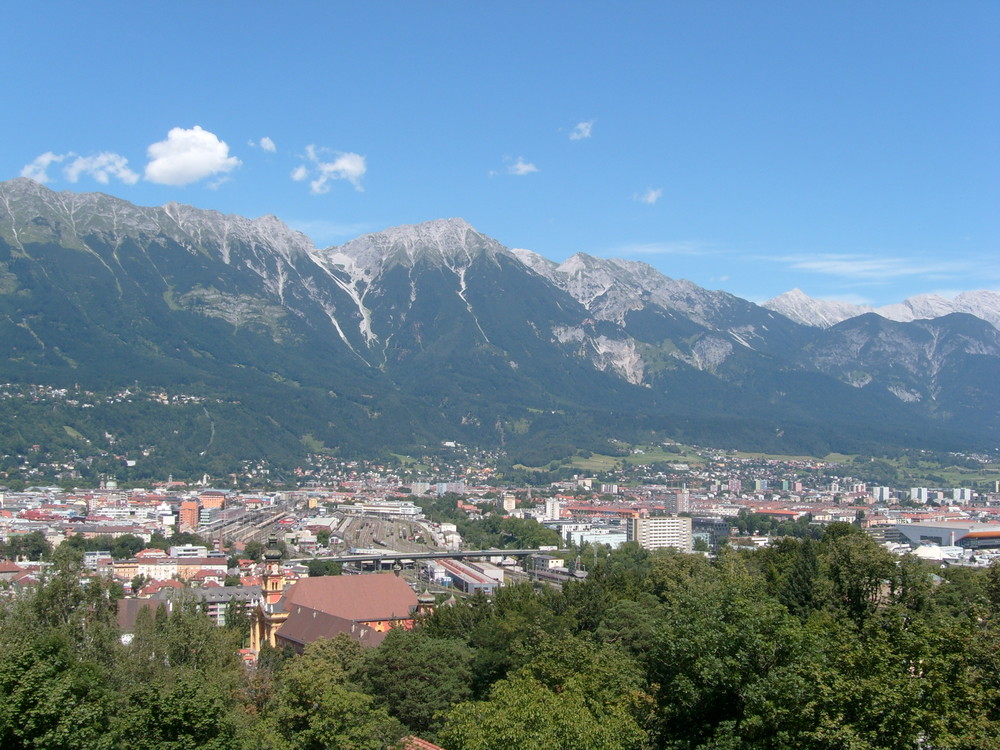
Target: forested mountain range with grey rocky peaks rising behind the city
{"x":263,"y":346}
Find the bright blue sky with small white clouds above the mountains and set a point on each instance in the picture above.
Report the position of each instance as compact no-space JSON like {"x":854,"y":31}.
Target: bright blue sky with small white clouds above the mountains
{"x":851,"y":149}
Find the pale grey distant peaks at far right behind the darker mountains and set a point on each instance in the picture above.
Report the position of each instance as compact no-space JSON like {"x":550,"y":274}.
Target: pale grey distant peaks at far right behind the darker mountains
{"x":801,"y":308}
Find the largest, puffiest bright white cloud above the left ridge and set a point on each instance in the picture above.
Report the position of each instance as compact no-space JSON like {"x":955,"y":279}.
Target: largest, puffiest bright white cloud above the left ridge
{"x":187,"y":156}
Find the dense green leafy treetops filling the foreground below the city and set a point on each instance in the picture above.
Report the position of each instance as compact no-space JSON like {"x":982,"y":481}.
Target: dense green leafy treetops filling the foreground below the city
{"x":831,"y":643}
